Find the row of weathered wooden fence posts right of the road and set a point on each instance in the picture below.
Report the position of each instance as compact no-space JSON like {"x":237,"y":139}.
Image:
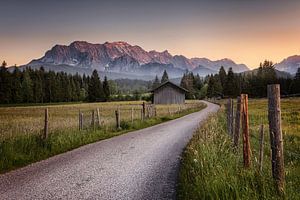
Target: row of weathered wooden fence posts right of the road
{"x":241,"y":119}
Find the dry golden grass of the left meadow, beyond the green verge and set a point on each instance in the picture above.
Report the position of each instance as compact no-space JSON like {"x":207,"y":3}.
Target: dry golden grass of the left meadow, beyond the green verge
{"x":15,"y":121}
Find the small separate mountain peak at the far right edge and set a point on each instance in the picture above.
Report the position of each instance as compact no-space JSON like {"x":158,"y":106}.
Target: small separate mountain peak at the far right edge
{"x":290,"y":64}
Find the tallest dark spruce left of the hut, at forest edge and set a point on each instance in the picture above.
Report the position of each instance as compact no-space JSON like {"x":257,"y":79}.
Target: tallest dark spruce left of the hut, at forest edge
{"x":95,"y":88}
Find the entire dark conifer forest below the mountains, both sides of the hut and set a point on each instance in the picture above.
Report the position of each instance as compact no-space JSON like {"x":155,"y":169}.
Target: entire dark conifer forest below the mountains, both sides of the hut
{"x":40,"y":86}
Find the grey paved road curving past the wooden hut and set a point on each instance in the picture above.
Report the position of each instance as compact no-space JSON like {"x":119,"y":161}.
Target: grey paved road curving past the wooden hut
{"x":139,"y":165}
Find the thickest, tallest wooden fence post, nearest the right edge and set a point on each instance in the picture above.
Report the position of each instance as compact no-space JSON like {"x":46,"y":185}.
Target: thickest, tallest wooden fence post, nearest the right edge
{"x":276,"y":140}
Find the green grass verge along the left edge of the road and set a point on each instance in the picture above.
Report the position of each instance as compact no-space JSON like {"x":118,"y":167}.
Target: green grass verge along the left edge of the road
{"x":23,"y":150}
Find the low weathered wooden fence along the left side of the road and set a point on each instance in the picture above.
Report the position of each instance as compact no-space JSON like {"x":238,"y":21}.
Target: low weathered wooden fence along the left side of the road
{"x":92,"y":119}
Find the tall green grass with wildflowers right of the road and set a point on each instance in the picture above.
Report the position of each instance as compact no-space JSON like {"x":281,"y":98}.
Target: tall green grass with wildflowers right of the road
{"x":212,"y":170}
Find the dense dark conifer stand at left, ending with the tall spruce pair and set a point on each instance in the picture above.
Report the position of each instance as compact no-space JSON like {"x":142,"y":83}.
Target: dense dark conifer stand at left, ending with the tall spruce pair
{"x":40,"y":86}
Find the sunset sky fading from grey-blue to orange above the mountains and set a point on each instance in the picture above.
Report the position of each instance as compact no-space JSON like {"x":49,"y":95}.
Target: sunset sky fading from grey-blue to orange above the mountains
{"x":246,"y":31}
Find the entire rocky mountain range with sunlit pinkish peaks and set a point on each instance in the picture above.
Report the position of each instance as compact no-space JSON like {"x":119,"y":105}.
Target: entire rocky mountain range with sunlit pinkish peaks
{"x":122,"y":60}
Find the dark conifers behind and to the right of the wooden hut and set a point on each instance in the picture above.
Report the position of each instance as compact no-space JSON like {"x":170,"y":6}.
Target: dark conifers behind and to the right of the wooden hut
{"x":230,"y":84}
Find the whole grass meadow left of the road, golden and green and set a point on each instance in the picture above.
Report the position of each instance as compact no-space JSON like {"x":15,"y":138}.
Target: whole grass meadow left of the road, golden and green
{"x":21,"y":127}
